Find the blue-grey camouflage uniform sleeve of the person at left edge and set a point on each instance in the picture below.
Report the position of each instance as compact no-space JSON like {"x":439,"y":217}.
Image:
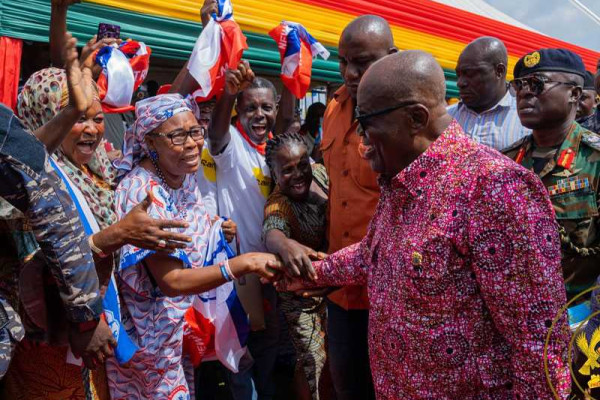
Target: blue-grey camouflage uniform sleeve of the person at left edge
{"x":29,"y":184}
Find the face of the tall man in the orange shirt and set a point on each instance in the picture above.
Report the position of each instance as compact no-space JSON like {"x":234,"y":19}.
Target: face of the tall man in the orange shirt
{"x":356,"y":54}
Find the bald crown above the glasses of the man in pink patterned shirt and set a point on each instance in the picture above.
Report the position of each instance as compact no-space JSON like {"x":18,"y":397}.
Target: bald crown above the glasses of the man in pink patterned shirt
{"x":410,"y":75}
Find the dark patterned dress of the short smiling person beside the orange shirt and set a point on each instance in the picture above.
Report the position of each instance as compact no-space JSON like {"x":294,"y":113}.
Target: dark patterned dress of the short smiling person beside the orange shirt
{"x":306,"y":223}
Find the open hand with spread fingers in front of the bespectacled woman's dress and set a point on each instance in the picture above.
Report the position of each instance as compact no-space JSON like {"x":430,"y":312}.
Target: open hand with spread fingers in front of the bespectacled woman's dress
{"x":141,"y":230}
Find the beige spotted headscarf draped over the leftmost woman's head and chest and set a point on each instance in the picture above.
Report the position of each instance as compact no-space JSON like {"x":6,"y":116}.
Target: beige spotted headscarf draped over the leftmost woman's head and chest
{"x":46,"y":93}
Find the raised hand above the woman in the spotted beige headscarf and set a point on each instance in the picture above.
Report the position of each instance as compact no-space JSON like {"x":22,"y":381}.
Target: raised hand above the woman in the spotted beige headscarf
{"x":79,"y":77}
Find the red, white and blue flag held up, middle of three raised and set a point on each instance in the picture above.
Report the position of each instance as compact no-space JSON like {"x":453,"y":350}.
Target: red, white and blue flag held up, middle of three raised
{"x":219,"y":46}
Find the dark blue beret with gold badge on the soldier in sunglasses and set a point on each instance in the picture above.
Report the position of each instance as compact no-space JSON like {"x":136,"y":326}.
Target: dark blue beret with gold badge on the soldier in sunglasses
{"x":549,"y":60}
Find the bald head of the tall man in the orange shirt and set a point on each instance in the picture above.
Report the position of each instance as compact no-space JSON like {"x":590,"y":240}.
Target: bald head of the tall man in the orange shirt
{"x":364,"y":41}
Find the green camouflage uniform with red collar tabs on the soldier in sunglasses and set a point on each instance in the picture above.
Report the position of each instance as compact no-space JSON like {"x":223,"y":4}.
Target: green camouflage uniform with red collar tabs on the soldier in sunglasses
{"x":572,"y":178}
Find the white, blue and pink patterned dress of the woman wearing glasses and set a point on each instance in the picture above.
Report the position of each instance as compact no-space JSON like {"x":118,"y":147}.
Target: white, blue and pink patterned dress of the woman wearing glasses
{"x":156,"y":322}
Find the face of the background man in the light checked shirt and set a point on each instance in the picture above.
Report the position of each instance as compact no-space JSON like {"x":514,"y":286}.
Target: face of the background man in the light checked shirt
{"x":478,"y":81}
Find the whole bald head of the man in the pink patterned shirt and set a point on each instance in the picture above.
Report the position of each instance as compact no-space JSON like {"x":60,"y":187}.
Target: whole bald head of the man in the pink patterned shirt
{"x":402,"y":109}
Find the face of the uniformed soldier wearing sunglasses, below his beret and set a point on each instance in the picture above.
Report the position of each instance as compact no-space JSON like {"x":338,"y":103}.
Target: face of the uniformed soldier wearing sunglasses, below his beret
{"x":552,"y":106}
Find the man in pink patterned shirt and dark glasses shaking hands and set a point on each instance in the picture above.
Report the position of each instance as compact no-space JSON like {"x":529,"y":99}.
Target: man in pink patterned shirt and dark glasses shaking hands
{"x":462,"y":256}
